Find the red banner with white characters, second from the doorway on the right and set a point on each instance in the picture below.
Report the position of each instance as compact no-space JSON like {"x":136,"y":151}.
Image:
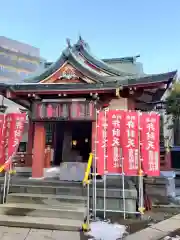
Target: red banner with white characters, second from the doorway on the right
{"x":115,"y":139}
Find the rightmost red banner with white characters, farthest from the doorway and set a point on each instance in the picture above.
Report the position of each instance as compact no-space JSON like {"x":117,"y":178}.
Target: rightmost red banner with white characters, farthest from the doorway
{"x":150,"y":150}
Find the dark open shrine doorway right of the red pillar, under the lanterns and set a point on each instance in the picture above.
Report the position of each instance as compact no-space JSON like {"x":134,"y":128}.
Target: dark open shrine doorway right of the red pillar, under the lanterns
{"x":72,"y":141}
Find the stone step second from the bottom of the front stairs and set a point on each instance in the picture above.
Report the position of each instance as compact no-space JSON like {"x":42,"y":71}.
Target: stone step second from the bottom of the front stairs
{"x":63,"y":211}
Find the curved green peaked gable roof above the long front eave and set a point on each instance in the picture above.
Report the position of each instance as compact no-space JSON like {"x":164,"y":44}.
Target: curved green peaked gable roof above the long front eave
{"x":72,"y":55}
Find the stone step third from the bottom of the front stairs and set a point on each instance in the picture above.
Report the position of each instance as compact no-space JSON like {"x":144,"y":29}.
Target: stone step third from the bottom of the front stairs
{"x":46,"y":199}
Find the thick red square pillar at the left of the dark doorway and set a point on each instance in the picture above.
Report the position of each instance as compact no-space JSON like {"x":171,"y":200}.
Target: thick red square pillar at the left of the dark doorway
{"x":38,"y":150}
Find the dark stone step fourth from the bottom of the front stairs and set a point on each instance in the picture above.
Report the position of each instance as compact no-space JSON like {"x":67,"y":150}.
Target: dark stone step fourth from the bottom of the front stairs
{"x":63,"y":190}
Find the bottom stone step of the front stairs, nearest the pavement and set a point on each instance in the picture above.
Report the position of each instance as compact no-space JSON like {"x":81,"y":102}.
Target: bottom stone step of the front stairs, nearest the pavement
{"x":40,"y":223}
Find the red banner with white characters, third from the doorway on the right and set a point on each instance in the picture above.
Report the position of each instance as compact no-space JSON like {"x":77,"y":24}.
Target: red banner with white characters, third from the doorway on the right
{"x":131,"y":144}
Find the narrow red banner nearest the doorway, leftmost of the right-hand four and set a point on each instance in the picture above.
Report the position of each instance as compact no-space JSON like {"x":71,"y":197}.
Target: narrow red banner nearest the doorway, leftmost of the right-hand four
{"x":101,"y":150}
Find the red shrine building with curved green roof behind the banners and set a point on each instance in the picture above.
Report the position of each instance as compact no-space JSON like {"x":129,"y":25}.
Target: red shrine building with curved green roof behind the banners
{"x":63,"y":99}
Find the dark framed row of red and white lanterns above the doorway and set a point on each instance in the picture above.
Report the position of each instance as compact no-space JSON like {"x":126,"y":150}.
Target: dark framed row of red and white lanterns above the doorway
{"x":63,"y":111}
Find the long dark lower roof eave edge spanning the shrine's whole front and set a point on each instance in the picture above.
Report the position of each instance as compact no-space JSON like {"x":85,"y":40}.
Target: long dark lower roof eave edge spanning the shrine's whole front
{"x":112,"y":83}
